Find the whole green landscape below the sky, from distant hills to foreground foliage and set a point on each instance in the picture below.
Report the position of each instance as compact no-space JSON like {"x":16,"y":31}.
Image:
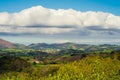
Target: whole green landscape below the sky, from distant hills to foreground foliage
{"x":66,"y":61}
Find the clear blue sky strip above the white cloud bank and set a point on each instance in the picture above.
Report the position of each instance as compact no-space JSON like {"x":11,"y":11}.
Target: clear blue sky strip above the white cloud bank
{"x":112,"y":6}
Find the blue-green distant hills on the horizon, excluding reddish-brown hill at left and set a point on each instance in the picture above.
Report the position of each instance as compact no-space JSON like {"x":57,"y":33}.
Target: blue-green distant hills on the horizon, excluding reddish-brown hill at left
{"x":68,"y":45}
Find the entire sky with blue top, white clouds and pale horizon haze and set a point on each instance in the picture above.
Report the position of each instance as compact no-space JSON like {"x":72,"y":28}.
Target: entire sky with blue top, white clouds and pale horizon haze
{"x":59,"y":21}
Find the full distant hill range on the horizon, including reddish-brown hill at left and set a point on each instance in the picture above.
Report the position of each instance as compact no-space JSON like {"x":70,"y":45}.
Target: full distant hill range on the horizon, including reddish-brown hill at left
{"x":60,"y":46}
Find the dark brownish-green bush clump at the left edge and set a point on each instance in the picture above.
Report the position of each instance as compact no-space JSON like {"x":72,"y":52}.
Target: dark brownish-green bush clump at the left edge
{"x":12,"y":63}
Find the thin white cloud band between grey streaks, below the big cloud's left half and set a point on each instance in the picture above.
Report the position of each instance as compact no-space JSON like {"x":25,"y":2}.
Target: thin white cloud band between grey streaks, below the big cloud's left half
{"x":23,"y":30}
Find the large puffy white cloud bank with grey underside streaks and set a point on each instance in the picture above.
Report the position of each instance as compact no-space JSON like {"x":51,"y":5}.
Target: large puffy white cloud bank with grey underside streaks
{"x":40,"y":20}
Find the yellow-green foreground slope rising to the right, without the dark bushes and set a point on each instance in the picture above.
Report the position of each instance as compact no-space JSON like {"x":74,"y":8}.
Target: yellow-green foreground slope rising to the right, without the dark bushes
{"x":89,"y":68}
